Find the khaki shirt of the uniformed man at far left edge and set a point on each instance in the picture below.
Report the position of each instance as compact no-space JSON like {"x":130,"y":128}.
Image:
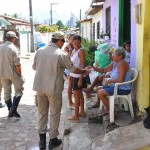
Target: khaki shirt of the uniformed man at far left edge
{"x":9,"y":59}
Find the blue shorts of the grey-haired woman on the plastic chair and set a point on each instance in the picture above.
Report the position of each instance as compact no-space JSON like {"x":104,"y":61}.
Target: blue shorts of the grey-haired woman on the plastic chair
{"x":110,"y":90}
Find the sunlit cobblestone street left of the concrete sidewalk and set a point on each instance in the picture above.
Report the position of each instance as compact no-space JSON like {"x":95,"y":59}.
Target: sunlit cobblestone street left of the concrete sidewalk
{"x":21,"y":134}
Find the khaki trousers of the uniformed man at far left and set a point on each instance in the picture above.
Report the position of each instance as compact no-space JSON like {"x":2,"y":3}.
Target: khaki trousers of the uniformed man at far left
{"x":18,"y":86}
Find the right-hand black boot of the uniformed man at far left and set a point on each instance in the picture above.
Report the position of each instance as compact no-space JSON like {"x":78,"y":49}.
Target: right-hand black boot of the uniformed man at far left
{"x":13,"y":109}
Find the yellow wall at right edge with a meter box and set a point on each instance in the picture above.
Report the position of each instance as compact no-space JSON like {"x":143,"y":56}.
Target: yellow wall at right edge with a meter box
{"x":143,"y":53}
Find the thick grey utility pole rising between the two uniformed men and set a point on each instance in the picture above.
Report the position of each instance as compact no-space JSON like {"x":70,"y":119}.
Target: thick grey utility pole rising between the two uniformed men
{"x":31,"y":25}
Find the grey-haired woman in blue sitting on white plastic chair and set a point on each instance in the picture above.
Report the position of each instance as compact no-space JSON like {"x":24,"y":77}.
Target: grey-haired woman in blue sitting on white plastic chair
{"x":120,"y":72}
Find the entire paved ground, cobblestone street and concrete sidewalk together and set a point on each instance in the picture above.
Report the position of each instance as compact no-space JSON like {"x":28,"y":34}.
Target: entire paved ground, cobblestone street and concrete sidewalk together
{"x":21,"y":134}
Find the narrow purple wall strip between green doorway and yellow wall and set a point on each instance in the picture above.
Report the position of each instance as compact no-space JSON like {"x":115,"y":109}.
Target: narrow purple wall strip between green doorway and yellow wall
{"x":133,"y":35}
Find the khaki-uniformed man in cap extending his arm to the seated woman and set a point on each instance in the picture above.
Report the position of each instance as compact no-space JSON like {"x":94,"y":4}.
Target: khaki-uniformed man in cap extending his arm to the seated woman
{"x":50,"y":63}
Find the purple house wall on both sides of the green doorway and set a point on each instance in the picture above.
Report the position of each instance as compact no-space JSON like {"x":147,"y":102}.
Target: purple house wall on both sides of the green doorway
{"x":115,"y":26}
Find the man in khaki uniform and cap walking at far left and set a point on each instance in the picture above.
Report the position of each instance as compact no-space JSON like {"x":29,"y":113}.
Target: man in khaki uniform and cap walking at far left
{"x":10,"y":73}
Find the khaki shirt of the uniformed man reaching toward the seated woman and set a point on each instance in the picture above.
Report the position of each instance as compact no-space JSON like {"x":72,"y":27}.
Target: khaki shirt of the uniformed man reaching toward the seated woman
{"x":50,"y":63}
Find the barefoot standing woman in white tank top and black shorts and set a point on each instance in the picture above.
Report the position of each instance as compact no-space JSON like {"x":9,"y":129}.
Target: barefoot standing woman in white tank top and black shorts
{"x":79,"y":80}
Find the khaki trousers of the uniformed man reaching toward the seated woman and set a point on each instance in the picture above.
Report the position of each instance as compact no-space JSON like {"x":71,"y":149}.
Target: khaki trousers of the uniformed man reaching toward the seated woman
{"x":55,"y":103}
